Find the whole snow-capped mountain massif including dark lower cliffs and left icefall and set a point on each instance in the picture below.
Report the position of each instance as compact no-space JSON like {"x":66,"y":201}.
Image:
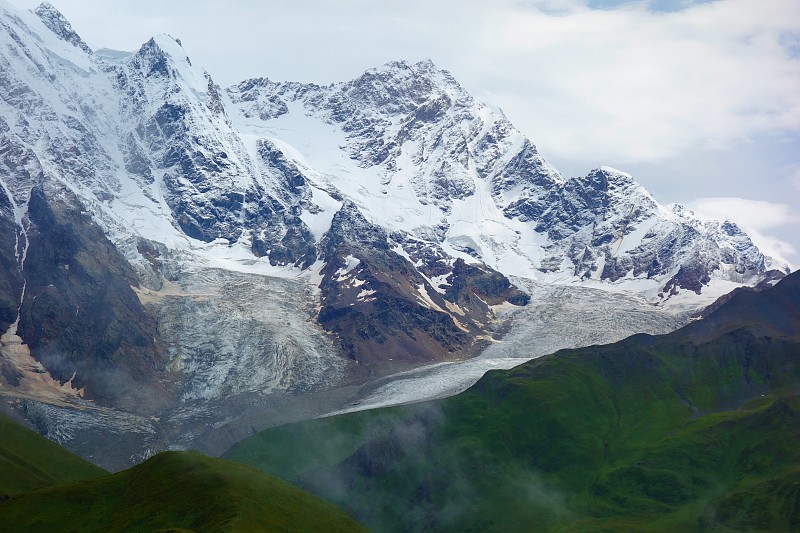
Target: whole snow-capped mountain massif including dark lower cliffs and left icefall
{"x":171,"y":248}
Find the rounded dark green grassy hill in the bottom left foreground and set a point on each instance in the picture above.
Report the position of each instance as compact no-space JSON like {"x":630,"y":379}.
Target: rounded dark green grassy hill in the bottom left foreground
{"x":175,"y":490}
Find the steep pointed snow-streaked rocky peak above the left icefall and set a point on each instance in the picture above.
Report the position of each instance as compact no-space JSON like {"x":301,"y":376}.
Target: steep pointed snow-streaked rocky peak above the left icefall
{"x":179,"y":146}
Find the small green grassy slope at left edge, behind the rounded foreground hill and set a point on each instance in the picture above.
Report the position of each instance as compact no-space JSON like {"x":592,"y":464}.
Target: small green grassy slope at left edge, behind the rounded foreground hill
{"x":29,"y":461}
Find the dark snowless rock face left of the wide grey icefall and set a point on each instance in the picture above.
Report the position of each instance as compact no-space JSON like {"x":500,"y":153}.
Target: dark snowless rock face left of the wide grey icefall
{"x":80,"y":315}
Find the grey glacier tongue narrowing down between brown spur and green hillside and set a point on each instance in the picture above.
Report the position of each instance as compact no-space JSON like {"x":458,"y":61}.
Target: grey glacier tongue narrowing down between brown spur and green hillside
{"x":558,"y":317}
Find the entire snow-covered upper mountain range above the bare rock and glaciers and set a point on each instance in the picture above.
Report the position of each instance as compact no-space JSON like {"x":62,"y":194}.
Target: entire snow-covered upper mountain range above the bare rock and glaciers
{"x":163,"y":153}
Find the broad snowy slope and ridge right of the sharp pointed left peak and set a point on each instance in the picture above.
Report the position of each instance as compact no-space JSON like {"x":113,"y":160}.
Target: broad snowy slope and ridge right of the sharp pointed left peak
{"x":421,"y":157}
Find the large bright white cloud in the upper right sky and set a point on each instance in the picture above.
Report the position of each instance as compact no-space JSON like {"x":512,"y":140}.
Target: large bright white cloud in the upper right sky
{"x":631,"y":85}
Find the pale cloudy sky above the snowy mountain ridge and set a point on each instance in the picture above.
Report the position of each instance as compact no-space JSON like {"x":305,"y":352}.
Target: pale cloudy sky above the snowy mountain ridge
{"x":697,"y":99}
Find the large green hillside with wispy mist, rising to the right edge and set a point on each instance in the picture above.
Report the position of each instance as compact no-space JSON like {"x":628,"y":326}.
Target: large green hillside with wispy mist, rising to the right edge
{"x":692,"y":431}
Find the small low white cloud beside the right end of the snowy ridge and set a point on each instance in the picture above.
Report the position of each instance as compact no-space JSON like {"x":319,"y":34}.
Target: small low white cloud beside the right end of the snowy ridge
{"x":757,"y":218}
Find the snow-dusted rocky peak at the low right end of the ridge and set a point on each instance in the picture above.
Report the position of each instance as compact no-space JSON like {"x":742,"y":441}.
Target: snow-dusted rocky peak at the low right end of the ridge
{"x":610,"y":227}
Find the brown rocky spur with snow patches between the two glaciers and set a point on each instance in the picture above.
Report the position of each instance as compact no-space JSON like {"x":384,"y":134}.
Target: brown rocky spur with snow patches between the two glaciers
{"x":382,"y":306}
